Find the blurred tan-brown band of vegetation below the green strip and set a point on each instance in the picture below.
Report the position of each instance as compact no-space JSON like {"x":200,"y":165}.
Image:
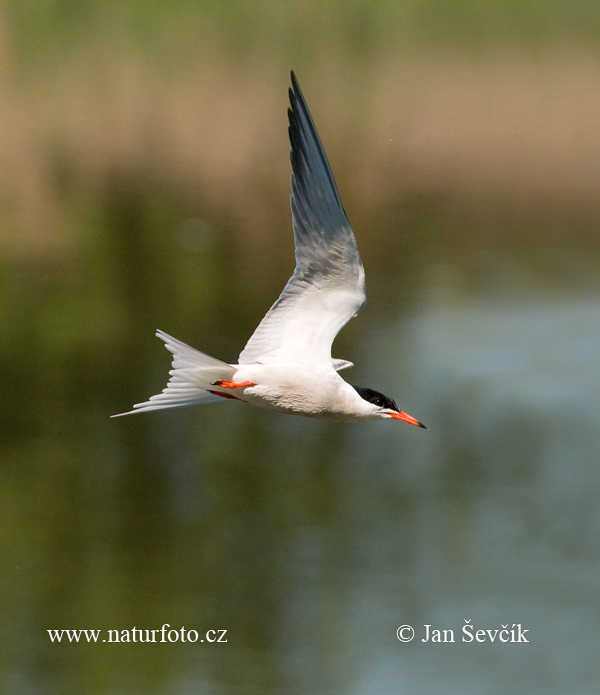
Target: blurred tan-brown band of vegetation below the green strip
{"x":212,"y":127}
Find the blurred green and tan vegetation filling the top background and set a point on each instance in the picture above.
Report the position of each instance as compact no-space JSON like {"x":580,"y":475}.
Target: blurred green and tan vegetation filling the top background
{"x":198,"y":108}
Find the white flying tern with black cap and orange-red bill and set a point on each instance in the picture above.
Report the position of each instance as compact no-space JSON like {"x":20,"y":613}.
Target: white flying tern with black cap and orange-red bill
{"x":287,"y":365}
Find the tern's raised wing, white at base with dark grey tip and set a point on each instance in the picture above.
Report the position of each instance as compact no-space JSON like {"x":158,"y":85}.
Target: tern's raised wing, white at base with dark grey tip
{"x":328,"y":285}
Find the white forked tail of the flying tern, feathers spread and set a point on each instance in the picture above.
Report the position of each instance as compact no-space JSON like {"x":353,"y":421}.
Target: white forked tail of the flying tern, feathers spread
{"x":192,"y":374}
